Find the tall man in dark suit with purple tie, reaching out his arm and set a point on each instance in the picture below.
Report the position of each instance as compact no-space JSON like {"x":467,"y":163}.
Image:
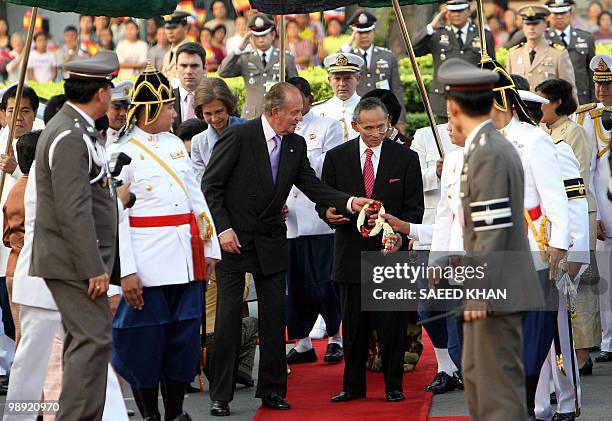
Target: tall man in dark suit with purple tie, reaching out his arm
{"x":251,"y":171}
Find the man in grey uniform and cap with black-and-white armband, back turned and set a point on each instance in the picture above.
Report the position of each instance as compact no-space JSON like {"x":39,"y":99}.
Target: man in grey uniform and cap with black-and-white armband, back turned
{"x":492,"y":188}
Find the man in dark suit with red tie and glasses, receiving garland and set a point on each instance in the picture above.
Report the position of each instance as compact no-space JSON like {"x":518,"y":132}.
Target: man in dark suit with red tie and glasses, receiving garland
{"x":374,"y":166}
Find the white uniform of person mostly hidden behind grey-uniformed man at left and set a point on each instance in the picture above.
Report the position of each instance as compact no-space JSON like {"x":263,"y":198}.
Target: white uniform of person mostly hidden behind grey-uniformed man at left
{"x":40,"y":323}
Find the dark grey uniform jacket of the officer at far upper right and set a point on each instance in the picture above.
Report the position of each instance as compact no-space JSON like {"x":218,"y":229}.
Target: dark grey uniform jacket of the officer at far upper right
{"x":581,"y":49}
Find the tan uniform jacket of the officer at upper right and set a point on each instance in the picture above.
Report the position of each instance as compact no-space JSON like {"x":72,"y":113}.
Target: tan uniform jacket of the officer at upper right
{"x":550,"y":62}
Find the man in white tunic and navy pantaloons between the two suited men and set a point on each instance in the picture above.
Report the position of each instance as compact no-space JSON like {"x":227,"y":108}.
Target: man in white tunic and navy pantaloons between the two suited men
{"x":310,"y":288}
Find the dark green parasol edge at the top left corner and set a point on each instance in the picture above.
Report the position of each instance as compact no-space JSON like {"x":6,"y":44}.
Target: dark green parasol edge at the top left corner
{"x":115,"y":8}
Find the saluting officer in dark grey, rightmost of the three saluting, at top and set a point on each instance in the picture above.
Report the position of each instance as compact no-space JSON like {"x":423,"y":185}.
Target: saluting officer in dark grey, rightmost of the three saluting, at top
{"x":459,"y":38}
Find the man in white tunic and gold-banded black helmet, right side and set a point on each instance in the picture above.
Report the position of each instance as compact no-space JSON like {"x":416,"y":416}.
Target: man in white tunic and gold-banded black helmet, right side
{"x":544,"y":200}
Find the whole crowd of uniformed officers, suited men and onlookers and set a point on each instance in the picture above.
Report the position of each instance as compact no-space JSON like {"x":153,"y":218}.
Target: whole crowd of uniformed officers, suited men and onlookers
{"x":148,"y":212}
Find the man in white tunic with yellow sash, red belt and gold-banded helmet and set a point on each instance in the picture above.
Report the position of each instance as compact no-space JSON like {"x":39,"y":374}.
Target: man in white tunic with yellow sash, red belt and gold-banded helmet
{"x":163,"y":243}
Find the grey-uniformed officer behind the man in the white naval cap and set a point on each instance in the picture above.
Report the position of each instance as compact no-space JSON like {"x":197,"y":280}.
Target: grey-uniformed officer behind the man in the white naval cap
{"x":380,"y":70}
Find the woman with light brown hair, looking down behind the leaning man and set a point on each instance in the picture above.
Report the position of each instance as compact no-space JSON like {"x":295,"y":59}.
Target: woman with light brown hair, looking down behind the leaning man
{"x":214,"y":103}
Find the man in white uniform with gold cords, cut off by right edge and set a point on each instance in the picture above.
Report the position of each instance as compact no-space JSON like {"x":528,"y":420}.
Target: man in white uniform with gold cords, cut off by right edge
{"x":589,"y":117}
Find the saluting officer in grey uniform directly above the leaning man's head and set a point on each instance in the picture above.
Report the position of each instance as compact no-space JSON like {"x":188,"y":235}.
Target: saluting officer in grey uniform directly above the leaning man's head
{"x":259,"y":66}
